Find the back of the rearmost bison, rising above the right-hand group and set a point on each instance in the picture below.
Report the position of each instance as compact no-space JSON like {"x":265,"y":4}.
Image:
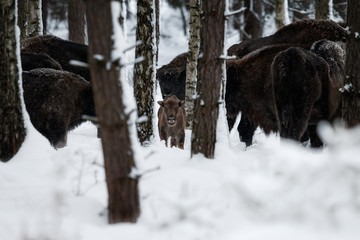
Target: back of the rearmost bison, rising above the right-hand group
{"x":304,"y":32}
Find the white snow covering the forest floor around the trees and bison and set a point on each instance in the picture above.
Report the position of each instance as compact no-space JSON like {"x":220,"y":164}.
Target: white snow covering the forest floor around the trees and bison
{"x":275,"y":189}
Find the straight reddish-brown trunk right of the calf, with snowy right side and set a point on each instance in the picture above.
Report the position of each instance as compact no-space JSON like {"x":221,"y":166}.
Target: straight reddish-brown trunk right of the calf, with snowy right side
{"x":210,"y":74}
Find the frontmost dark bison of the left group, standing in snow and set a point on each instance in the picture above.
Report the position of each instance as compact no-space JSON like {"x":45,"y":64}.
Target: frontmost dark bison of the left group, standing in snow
{"x":56,"y":101}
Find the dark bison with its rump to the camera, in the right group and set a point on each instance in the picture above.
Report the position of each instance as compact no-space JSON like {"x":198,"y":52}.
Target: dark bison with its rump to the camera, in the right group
{"x":301,"y":81}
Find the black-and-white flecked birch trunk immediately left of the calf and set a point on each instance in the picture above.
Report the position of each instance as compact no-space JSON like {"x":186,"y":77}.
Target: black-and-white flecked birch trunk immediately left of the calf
{"x":144,"y":71}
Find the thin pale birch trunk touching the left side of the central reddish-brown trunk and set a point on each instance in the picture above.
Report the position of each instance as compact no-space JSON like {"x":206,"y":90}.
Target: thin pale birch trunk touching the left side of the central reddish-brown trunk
{"x":192,"y":58}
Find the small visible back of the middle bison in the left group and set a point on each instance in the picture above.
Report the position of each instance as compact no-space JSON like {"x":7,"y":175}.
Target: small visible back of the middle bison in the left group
{"x":30,"y":60}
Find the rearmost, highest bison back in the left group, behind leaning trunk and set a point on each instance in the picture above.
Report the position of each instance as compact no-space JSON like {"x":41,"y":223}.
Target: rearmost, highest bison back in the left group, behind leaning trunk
{"x":61,"y":50}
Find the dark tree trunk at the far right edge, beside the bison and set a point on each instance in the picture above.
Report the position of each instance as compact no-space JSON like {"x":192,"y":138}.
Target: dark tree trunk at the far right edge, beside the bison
{"x":351,"y":98}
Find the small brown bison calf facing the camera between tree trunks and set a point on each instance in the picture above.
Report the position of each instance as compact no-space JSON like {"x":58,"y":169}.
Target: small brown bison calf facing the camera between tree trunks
{"x":171,"y":116}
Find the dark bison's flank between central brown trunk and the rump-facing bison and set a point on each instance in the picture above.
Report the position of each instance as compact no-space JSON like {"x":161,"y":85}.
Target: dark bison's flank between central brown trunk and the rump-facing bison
{"x":250,"y":90}
